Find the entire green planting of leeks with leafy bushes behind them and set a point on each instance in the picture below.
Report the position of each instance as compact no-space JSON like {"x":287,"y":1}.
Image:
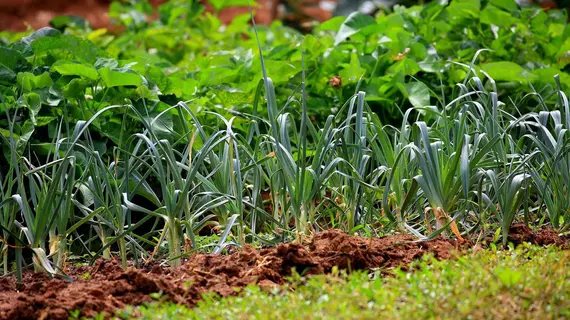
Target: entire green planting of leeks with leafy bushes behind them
{"x":140,"y":143}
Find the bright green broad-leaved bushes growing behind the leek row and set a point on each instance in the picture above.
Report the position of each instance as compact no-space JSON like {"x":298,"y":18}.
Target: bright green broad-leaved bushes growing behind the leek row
{"x":411,"y":57}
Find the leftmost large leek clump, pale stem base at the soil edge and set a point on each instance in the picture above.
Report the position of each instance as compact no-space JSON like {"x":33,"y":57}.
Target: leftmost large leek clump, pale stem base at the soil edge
{"x":44,"y":195}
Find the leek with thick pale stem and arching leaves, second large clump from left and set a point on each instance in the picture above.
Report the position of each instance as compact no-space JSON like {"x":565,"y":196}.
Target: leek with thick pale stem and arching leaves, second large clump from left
{"x":182,"y":204}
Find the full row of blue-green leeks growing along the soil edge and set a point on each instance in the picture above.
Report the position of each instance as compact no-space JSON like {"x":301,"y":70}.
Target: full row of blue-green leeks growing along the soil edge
{"x":465,"y":167}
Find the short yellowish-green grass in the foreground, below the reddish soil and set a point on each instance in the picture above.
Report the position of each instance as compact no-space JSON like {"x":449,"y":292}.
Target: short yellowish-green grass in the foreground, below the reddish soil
{"x":526,"y":283}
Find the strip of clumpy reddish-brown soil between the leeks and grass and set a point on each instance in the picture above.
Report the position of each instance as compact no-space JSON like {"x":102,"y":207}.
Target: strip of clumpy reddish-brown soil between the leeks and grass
{"x":110,"y":288}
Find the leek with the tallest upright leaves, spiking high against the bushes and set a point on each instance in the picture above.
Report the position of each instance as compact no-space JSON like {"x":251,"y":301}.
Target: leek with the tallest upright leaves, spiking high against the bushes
{"x":303,"y":179}
